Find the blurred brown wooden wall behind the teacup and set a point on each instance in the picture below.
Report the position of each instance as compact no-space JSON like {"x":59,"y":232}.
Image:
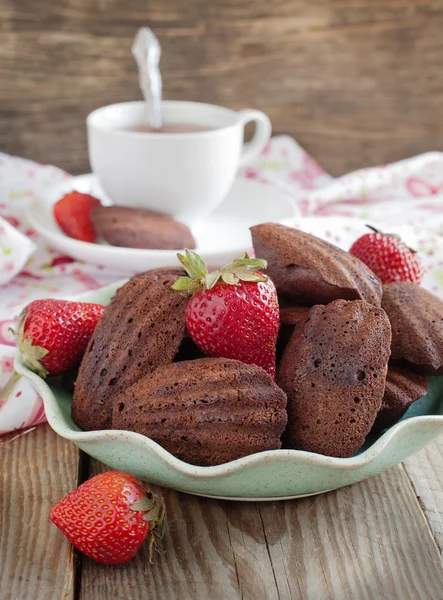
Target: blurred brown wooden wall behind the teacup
{"x":357,"y":82}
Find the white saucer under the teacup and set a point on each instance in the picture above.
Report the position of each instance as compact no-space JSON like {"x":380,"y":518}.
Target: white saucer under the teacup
{"x":223,"y":235}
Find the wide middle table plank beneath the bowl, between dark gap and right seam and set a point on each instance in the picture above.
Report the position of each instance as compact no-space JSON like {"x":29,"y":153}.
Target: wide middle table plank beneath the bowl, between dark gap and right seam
{"x":364,"y":542}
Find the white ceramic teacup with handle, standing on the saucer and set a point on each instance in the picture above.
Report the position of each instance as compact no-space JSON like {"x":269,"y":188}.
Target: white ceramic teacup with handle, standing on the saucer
{"x":185,"y":175}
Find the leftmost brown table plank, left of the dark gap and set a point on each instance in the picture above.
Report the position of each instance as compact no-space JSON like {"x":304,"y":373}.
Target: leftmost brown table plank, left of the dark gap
{"x":36,"y":561}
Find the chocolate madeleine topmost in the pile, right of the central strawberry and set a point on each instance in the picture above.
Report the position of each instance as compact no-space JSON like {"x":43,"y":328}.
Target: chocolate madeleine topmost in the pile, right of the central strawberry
{"x":311,"y":271}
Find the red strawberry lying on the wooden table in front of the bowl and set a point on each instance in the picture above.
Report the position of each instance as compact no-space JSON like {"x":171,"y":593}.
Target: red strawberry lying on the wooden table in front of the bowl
{"x":108,"y":517}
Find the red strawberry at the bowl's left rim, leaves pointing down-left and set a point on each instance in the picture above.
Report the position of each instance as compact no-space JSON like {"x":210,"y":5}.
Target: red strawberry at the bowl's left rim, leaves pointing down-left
{"x":52,"y":335}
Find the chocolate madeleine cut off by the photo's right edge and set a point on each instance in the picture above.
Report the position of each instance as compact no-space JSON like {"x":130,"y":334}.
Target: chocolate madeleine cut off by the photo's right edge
{"x":416,"y":317}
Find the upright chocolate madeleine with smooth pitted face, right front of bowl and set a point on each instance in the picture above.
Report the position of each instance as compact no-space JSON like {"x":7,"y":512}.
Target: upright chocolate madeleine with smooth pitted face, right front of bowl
{"x":333,"y":371}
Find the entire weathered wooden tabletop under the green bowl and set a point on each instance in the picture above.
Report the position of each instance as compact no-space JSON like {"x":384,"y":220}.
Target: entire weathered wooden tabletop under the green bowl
{"x":381,"y":539}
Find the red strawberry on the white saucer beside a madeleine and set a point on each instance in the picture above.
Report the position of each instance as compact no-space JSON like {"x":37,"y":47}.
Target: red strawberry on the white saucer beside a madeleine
{"x":73,"y":214}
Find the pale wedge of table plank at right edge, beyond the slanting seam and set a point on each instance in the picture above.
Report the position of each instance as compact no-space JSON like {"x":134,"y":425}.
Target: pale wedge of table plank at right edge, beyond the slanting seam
{"x":425,"y":470}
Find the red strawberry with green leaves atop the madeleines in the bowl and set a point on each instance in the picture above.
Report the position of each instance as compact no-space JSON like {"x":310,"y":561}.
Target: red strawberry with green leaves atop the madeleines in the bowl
{"x":233,"y":312}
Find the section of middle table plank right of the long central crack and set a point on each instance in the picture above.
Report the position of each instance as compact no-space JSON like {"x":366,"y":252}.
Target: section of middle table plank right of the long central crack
{"x":367,"y":541}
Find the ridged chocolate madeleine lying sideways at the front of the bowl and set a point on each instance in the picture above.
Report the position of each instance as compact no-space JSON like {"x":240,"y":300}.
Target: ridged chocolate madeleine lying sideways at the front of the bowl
{"x":206,"y":411}
